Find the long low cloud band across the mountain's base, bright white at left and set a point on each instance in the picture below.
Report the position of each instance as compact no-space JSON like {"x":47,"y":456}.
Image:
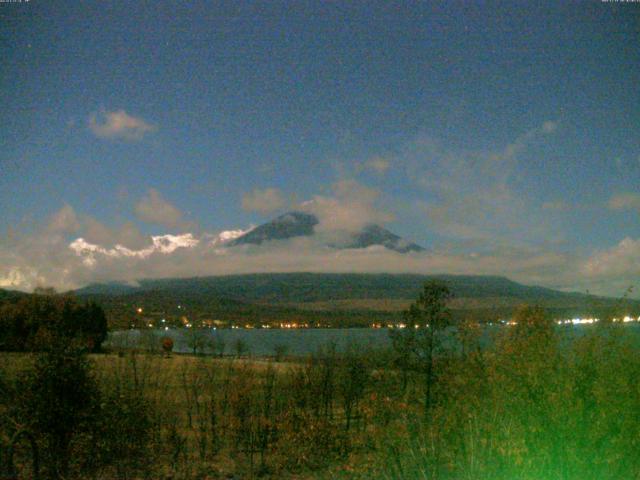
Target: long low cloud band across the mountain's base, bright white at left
{"x":61,"y":254}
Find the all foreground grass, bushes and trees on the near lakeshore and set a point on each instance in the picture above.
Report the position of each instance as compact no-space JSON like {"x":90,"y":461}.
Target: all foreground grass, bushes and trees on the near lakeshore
{"x":531,"y":405}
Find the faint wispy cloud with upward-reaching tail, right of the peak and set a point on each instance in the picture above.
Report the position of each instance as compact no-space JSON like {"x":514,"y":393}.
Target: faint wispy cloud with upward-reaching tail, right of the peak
{"x":474,"y":195}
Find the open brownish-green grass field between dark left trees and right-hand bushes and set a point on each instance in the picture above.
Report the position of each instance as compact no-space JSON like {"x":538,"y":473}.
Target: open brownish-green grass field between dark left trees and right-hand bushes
{"x":209,"y":416}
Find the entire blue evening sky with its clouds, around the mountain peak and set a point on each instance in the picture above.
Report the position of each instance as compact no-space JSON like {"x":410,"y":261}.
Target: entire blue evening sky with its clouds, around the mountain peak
{"x":503,"y":137}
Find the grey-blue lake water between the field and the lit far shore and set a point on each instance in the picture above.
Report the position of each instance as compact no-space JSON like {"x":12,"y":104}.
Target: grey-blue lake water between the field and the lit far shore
{"x":263,"y":342}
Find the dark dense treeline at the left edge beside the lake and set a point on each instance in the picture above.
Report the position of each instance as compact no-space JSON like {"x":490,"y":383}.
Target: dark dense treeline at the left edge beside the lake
{"x":32,"y":322}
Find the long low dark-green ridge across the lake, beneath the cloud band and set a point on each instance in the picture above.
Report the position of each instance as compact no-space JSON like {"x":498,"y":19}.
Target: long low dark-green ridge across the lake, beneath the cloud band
{"x":331,"y":299}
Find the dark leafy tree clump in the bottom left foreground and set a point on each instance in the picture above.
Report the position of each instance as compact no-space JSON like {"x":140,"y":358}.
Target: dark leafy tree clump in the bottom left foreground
{"x":77,"y":428}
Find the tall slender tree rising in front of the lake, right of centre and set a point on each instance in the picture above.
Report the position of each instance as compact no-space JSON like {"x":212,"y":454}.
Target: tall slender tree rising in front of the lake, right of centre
{"x":417,"y":343}
